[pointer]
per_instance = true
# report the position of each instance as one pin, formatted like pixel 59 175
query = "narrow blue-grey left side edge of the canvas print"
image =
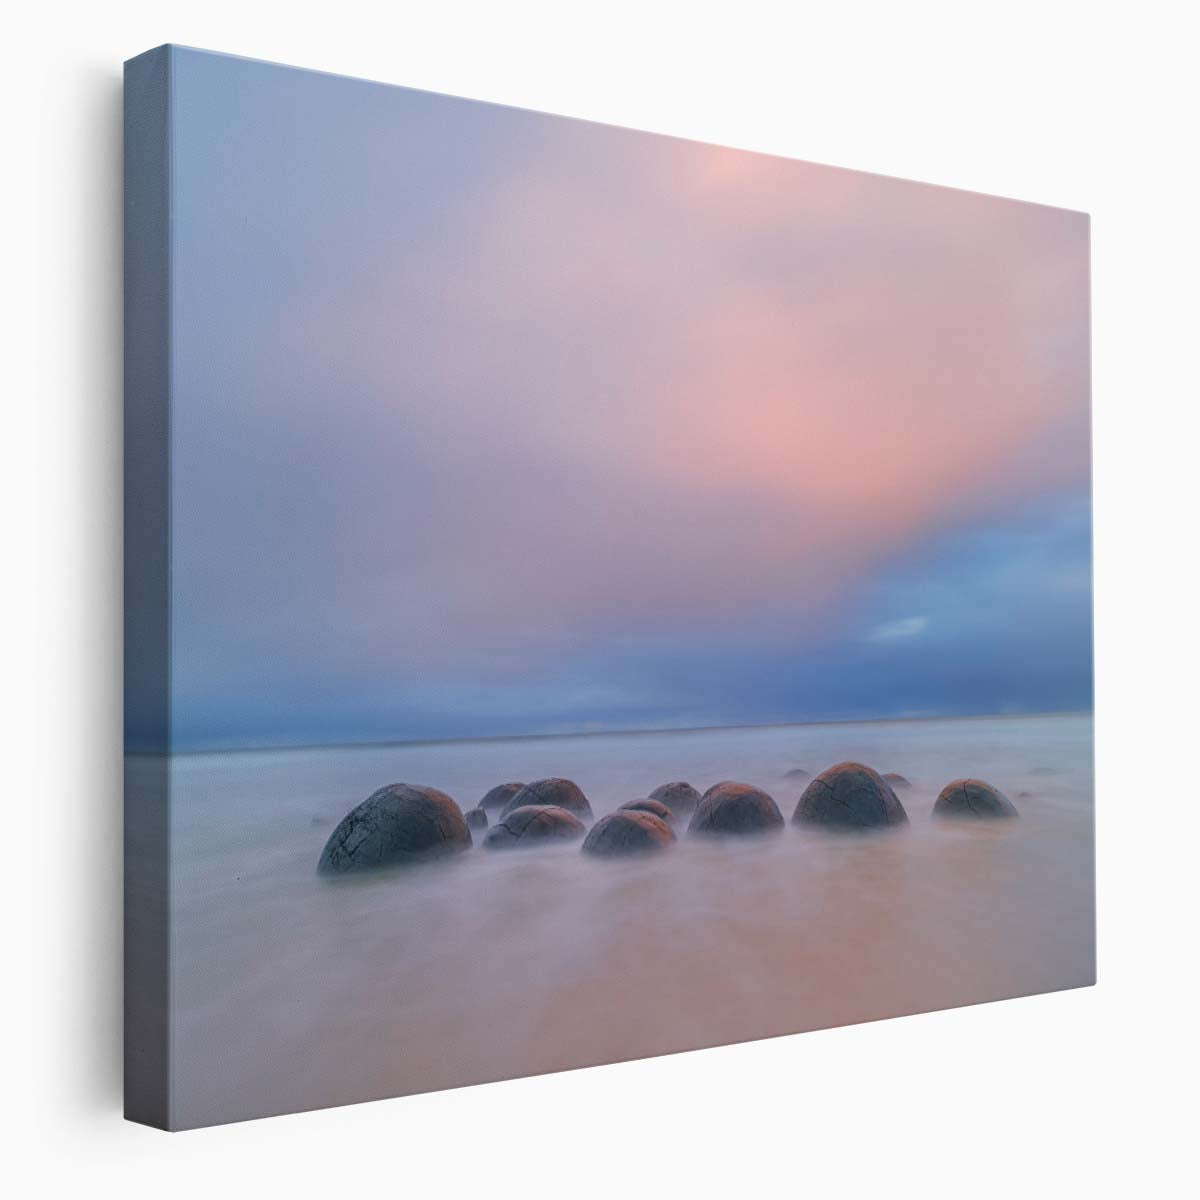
pixel 147 568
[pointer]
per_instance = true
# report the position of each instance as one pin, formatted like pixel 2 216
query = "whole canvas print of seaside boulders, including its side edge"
pixel 590 595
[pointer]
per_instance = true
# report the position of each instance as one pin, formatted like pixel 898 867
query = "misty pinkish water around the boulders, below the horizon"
pixel 295 992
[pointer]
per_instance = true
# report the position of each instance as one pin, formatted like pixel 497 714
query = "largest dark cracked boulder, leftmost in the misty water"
pixel 403 824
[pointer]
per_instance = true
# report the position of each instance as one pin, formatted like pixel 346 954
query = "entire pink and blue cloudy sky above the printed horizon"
pixel 493 423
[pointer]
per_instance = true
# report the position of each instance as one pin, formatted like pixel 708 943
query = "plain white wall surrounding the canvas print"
pixel 1090 106
